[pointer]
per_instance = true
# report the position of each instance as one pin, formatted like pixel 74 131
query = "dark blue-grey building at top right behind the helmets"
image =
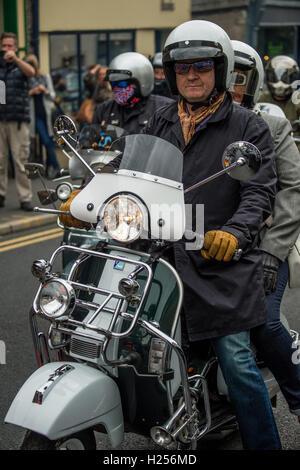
pixel 272 27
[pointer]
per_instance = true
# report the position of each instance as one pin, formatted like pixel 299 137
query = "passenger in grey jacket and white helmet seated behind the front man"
pixel 279 232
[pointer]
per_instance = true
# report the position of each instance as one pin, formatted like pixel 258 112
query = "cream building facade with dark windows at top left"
pixel 70 35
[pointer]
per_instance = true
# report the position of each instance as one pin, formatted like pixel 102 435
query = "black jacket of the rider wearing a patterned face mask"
pixel 131 119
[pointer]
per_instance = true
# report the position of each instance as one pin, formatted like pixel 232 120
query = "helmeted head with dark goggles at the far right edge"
pixel 281 72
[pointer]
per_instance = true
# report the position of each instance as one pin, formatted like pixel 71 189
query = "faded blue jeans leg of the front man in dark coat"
pixel 247 392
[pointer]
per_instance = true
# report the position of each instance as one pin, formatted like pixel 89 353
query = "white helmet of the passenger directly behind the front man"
pixel 248 60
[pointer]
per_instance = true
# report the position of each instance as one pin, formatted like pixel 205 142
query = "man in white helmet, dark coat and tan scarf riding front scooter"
pixel 224 298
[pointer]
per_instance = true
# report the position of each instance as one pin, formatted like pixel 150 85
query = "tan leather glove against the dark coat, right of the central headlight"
pixel 219 245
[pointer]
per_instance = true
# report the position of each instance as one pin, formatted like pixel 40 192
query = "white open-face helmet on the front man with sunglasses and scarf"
pixel 197 39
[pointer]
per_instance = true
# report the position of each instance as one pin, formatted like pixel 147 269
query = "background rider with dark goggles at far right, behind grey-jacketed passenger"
pixel 282 74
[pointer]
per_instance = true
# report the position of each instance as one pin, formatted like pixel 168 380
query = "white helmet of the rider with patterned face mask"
pixel 132 66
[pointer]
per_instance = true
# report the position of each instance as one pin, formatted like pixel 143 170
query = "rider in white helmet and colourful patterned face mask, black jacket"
pixel 131 78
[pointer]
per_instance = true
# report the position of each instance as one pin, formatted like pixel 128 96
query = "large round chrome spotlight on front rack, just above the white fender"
pixel 57 299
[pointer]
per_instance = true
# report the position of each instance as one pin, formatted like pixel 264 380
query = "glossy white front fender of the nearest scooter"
pixel 62 398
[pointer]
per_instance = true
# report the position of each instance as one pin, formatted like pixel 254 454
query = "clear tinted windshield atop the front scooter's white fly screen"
pixel 152 155
